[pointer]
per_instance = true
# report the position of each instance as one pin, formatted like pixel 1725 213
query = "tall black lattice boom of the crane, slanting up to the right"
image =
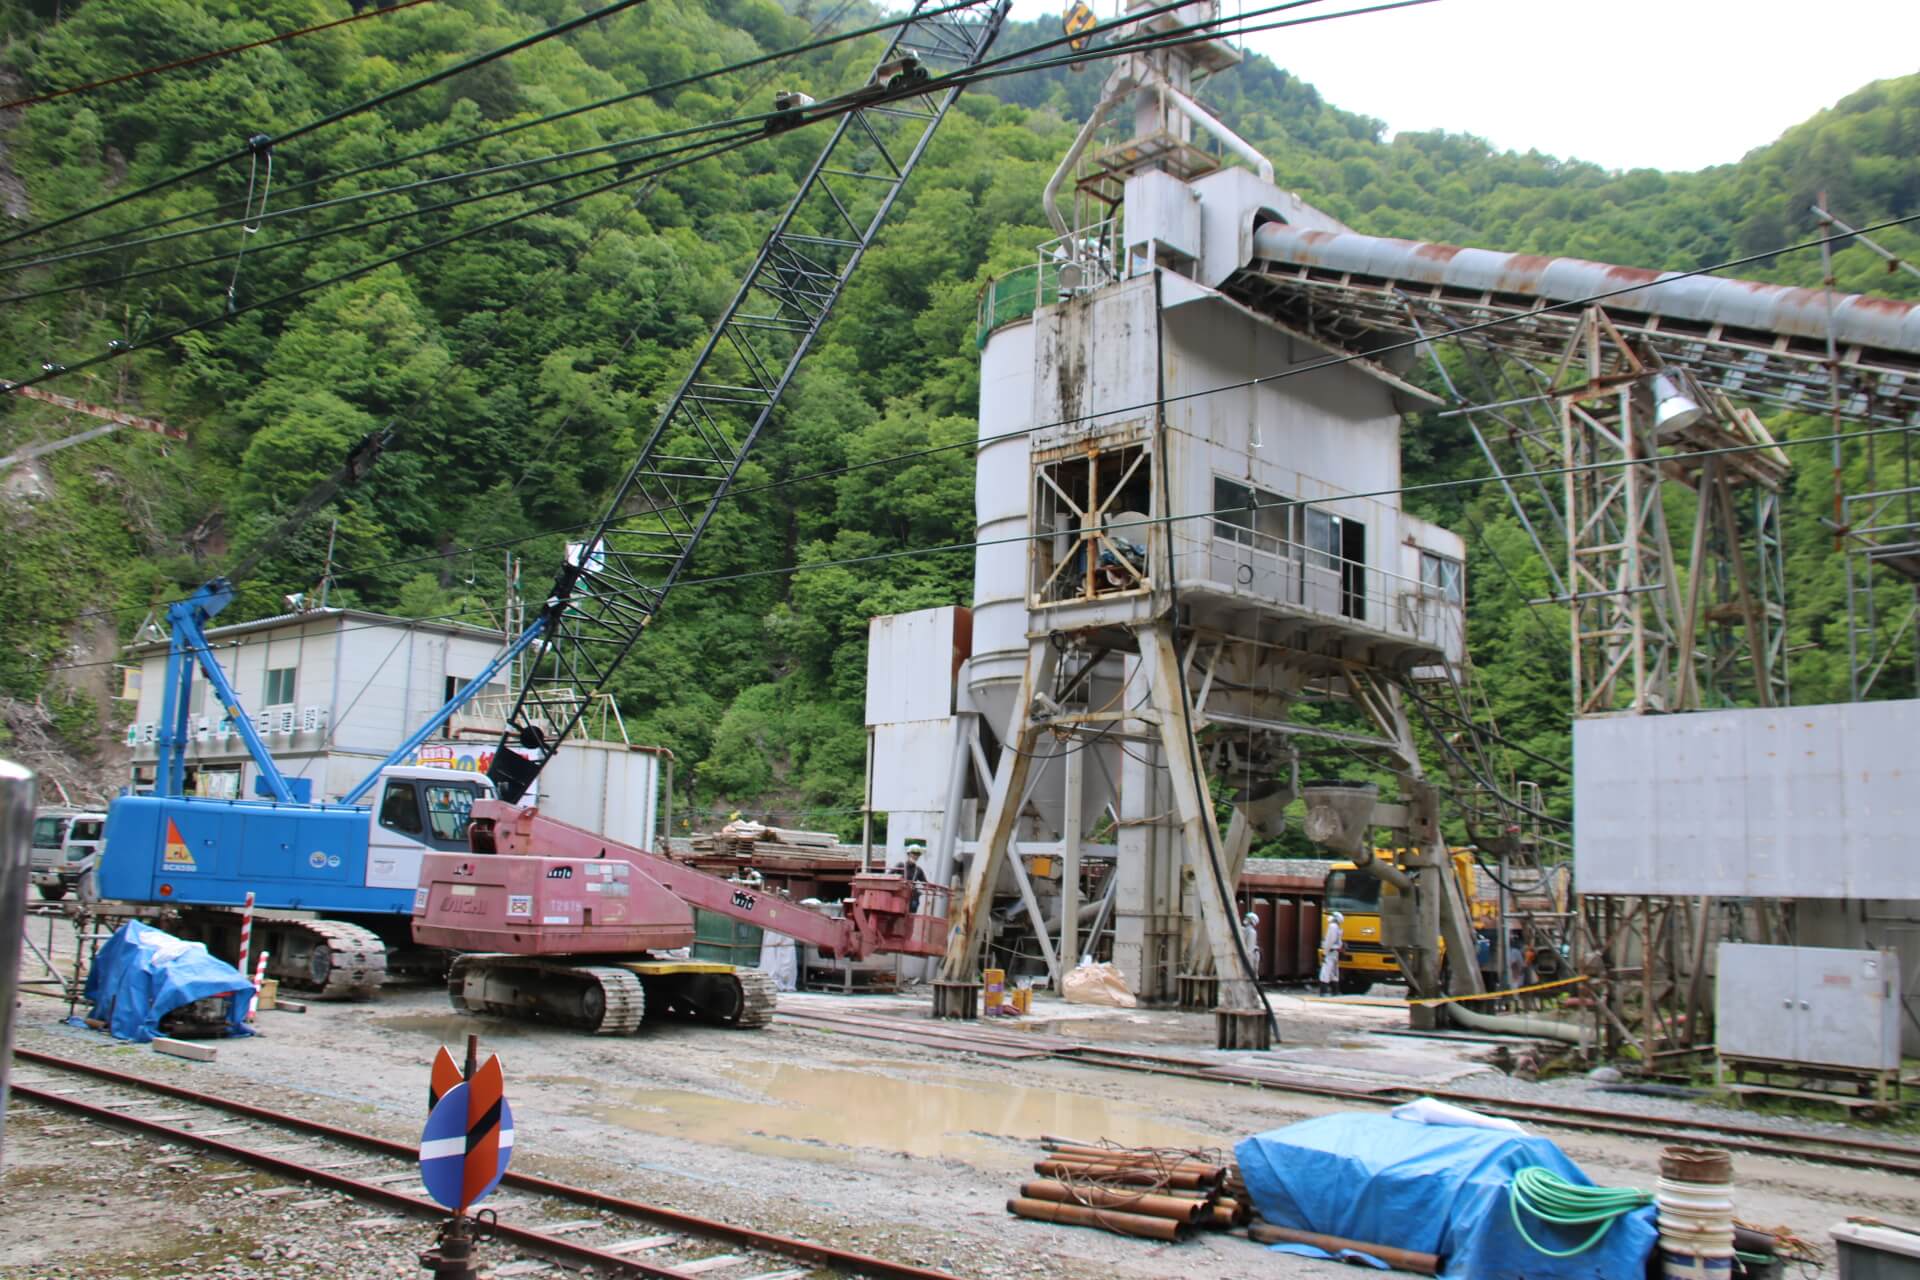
pixel 617 581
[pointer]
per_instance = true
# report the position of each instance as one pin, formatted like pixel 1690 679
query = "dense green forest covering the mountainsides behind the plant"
pixel 517 367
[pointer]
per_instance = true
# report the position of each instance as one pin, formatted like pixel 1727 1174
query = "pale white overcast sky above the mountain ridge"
pixel 1623 83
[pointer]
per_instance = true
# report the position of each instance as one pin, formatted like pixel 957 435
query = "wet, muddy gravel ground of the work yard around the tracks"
pixel 890 1149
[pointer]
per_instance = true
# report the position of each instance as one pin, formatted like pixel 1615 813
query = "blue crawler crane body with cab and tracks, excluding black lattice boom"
pixel 333 882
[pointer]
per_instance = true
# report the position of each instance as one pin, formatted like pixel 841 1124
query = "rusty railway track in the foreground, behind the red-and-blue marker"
pixel 537 1216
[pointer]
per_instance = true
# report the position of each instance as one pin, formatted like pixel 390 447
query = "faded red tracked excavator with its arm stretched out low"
pixel 562 926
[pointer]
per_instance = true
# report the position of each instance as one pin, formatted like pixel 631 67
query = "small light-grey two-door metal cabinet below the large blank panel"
pixel 1810 1005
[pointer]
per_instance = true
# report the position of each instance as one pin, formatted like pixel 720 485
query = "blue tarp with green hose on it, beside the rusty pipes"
pixel 1435 1189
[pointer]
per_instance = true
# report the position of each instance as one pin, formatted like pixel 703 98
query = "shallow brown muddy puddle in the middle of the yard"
pixel 830 1114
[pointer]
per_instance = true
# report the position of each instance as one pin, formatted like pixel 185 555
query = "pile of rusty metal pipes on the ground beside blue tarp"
pixel 1153 1193
